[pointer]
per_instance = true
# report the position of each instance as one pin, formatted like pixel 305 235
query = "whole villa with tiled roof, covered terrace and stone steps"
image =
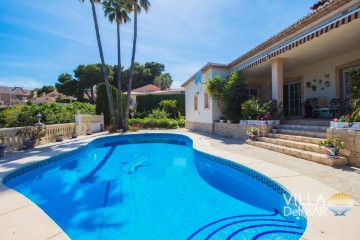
pixel 307 63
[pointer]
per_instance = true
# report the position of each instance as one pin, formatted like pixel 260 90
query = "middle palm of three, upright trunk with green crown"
pixel 116 10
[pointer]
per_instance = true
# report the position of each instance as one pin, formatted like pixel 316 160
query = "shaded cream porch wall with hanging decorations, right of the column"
pixel 318 70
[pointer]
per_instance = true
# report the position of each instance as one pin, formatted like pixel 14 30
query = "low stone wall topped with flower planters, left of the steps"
pixel 239 130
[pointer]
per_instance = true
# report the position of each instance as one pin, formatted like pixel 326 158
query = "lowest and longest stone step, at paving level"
pixel 310 156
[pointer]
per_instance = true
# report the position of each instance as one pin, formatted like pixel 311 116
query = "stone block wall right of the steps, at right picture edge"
pixel 351 139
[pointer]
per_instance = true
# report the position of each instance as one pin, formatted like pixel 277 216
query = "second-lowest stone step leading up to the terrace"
pixel 294 144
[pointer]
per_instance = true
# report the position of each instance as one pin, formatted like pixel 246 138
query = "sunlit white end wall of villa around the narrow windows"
pixel 202 114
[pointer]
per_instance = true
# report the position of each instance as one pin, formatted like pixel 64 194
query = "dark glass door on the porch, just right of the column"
pixel 292 99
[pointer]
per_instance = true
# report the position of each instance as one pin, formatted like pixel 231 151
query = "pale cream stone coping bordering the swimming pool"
pixel 14 206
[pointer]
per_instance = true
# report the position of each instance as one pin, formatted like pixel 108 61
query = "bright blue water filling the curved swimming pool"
pixel 155 186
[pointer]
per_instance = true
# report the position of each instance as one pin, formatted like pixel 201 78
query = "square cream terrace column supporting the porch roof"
pixel 277 79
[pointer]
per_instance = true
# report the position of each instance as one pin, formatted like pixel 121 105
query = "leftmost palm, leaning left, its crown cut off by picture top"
pixel 103 66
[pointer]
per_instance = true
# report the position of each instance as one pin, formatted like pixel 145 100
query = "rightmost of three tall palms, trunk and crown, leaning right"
pixel 137 5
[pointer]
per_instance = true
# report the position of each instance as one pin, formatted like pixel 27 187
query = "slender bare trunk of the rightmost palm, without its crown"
pixel 127 106
